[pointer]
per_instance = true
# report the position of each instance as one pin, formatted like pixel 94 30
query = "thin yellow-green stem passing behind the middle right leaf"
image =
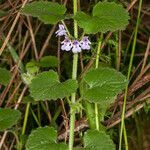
pixel 96 66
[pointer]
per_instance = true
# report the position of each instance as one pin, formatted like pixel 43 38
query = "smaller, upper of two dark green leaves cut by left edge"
pixel 4 76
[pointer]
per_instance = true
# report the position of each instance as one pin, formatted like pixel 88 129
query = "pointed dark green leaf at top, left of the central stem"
pixel 48 12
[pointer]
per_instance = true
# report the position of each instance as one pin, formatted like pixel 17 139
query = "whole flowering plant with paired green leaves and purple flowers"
pixel 97 88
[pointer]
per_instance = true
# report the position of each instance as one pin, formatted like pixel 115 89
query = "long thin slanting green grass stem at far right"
pixel 128 76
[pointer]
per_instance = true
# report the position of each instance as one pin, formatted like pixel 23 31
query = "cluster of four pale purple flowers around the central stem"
pixel 67 44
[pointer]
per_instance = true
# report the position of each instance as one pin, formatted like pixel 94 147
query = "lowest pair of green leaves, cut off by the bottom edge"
pixel 45 138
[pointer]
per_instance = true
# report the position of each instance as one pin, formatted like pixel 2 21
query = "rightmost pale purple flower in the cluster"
pixel 85 43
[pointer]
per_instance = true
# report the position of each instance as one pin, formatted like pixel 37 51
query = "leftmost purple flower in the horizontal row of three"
pixel 66 44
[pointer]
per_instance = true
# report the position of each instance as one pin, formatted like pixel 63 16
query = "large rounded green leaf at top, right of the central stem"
pixel 106 16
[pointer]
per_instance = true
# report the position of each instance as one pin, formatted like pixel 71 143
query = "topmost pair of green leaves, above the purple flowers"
pixel 106 16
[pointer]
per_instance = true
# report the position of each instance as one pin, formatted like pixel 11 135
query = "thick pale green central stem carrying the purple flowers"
pixel 74 76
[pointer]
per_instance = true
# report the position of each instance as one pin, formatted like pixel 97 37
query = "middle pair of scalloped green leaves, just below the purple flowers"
pixel 103 85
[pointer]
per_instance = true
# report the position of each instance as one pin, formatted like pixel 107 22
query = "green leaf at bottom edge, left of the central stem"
pixel 44 138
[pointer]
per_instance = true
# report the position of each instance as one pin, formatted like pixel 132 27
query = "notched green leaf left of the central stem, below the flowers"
pixel 46 86
